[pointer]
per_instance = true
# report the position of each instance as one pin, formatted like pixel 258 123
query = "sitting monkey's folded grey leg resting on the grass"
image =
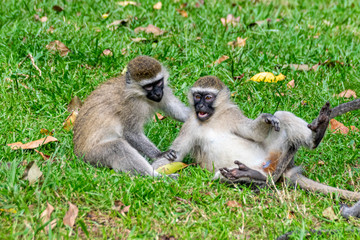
pixel 120 156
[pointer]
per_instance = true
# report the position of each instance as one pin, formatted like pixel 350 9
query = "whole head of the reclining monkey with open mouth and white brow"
pixel 206 94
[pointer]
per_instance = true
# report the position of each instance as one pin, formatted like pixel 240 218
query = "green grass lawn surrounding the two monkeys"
pixel 31 103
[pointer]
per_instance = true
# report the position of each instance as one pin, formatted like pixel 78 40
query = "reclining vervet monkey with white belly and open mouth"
pixel 220 137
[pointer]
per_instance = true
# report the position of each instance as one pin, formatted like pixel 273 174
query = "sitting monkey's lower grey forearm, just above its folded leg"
pixel 141 143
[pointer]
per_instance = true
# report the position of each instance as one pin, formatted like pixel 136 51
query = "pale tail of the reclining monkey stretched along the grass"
pixel 295 176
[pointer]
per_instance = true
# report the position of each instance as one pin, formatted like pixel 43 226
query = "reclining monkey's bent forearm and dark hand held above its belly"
pixel 257 129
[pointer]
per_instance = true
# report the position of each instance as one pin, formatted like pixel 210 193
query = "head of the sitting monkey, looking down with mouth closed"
pixel 147 76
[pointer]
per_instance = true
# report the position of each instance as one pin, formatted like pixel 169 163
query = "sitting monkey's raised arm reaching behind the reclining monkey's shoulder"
pixel 173 106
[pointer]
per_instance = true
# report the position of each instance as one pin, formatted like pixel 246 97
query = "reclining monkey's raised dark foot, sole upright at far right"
pixel 320 124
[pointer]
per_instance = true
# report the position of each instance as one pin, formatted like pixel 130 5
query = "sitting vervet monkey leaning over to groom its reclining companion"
pixel 109 128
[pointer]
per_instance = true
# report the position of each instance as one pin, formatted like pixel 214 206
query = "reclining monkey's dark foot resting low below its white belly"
pixel 242 172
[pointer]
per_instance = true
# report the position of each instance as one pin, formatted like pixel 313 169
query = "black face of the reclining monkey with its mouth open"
pixel 203 105
